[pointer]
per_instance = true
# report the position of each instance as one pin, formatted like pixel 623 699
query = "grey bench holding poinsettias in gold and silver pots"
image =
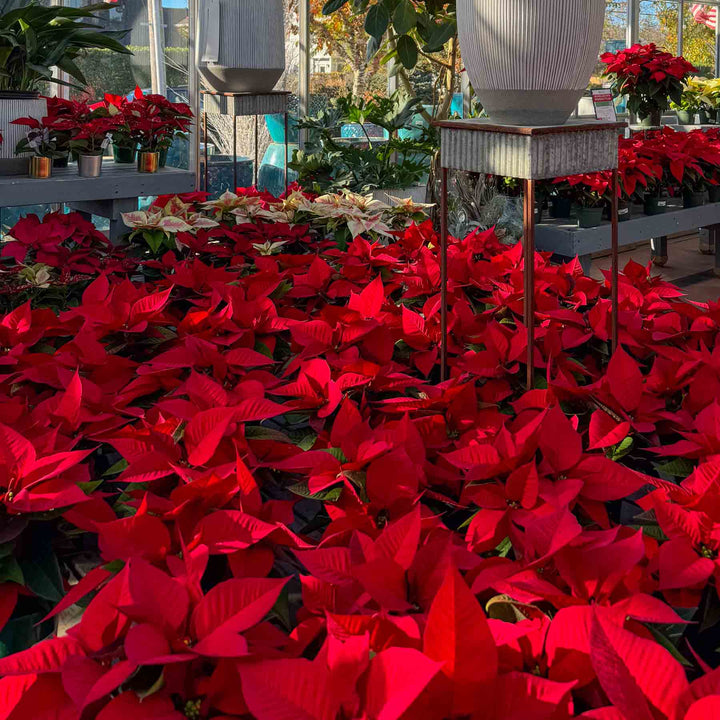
pixel 116 191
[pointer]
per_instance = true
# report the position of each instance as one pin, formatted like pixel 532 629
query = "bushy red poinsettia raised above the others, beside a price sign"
pixel 649 77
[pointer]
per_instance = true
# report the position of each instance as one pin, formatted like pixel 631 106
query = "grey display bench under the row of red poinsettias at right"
pixel 568 240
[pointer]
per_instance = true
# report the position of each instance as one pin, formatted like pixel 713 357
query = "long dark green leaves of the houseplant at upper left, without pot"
pixel 35 39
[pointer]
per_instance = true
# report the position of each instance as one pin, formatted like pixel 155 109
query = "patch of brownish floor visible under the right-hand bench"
pixel 686 267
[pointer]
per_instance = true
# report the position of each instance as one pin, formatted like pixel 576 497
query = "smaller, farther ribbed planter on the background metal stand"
pixel 241 44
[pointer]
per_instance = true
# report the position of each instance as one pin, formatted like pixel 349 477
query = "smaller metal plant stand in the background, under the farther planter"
pixel 243 105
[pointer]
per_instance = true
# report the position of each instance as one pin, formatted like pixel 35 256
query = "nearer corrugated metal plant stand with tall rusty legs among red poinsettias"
pixel 529 154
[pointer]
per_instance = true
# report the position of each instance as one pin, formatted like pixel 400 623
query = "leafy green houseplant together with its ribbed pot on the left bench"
pixel 34 40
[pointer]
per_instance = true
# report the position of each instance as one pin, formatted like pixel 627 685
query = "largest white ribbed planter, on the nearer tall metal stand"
pixel 529 61
